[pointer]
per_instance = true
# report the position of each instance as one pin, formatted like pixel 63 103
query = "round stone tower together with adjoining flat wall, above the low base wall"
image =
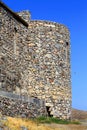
pixel 35 61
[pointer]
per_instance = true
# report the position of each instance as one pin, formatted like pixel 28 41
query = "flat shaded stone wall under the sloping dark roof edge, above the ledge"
pixel 13 53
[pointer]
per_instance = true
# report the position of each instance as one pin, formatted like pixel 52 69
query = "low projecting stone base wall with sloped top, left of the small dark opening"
pixel 31 108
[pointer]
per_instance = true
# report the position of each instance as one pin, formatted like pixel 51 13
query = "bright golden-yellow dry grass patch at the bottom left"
pixel 17 123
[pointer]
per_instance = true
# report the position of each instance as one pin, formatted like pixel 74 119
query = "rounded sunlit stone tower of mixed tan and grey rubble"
pixel 49 66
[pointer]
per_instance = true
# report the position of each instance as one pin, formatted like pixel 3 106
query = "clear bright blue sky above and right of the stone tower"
pixel 72 13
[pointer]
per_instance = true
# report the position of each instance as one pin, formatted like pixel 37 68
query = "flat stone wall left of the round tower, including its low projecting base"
pixel 13 67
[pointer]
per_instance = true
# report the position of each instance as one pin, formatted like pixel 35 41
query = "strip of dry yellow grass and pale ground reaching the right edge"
pixel 17 123
